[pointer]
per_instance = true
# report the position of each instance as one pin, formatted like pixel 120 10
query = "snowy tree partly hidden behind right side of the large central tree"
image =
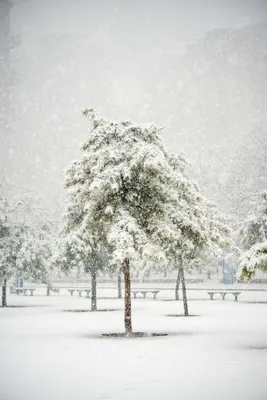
pixel 194 223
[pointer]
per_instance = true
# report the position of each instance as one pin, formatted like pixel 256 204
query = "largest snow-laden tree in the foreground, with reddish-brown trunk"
pixel 119 193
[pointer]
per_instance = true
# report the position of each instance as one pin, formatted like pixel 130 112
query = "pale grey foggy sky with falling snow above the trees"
pixel 198 68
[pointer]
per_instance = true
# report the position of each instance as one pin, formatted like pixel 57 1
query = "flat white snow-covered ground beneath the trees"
pixel 50 353
